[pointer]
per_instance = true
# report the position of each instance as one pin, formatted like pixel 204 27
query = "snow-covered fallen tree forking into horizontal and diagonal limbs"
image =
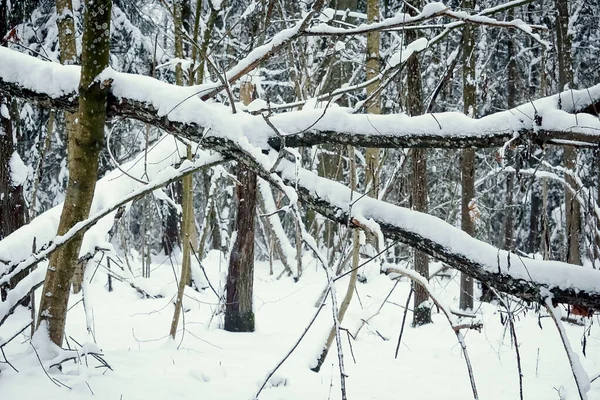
pixel 246 138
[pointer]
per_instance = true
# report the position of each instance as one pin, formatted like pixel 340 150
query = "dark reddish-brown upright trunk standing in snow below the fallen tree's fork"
pixel 239 315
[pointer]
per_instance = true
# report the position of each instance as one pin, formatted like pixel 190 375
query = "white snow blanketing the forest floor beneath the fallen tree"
pixel 213 364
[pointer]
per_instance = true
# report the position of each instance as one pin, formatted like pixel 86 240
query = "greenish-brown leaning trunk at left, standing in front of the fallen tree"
pixel 84 146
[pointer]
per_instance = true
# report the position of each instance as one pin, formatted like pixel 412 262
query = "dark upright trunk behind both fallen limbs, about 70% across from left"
pixel 414 105
